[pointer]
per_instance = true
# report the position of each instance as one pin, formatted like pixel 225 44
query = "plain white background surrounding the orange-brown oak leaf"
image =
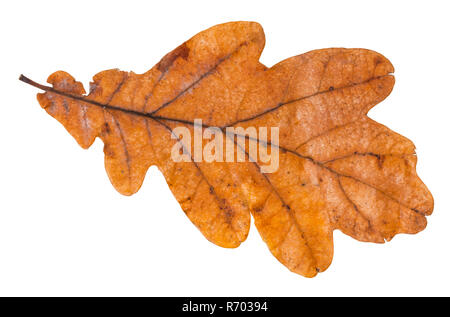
pixel 64 230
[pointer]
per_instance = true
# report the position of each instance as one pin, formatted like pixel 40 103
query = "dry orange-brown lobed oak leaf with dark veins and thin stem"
pixel 338 169
